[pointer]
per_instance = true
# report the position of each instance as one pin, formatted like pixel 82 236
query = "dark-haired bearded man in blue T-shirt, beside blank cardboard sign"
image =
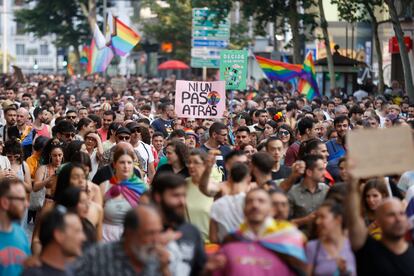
pixel 336 146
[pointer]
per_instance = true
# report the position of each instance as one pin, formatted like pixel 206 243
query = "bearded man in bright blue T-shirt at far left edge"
pixel 14 246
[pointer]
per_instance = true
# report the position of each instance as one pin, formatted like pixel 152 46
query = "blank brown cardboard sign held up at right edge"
pixel 379 152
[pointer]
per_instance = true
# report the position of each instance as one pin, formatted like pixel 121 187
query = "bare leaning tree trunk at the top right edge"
pixel 403 50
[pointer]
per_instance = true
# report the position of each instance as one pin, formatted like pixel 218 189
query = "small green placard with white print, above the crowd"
pixel 233 68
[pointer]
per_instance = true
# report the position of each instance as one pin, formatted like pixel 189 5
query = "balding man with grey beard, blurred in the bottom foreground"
pixel 139 252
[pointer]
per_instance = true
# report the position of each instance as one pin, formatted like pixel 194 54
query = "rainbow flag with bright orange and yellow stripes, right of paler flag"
pixel 124 38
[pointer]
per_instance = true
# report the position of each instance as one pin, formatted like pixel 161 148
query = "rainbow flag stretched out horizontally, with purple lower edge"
pixel 279 71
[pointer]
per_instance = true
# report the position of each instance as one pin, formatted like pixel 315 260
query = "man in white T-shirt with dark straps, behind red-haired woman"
pixel 143 149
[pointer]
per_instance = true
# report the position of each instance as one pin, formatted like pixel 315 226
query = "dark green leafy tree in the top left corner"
pixel 67 20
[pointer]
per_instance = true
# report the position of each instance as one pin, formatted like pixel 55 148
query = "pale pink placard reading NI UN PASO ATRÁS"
pixel 200 99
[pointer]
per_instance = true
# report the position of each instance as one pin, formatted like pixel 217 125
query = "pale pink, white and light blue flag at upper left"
pixel 100 55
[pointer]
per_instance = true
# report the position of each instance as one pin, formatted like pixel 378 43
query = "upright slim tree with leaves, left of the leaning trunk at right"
pixel 364 10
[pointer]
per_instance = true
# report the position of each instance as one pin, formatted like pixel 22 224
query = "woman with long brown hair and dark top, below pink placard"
pixel 177 155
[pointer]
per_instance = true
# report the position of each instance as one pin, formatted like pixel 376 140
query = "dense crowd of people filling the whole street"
pixel 102 181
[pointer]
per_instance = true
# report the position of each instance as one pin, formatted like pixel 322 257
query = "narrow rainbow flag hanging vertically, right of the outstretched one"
pixel 307 84
